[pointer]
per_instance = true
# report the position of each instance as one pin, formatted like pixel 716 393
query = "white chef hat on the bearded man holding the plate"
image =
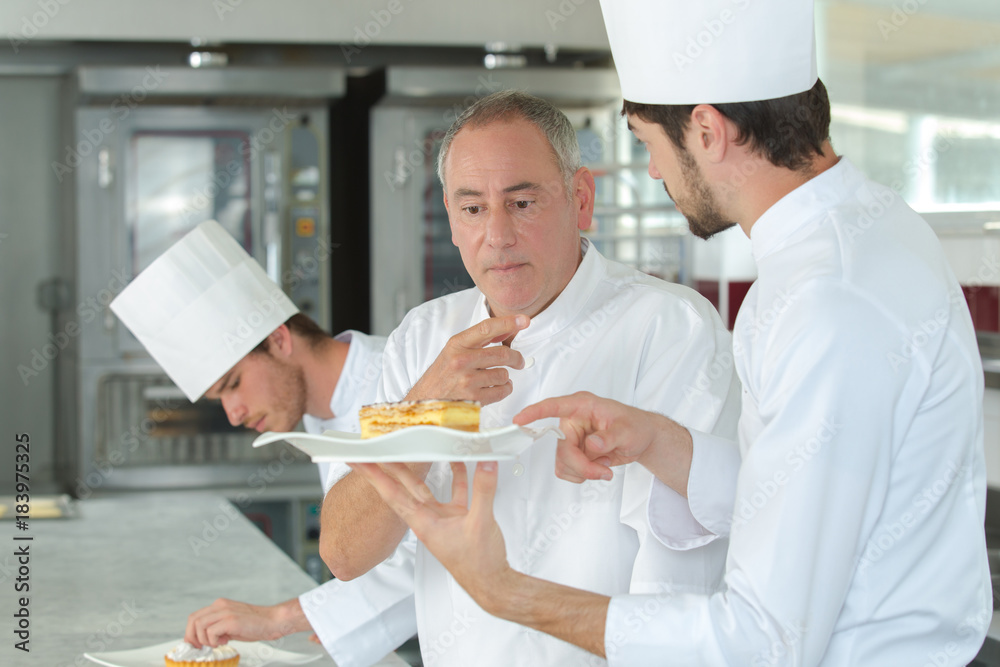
pixel 711 51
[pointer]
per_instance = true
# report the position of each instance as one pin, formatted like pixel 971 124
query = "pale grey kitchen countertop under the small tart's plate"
pixel 127 572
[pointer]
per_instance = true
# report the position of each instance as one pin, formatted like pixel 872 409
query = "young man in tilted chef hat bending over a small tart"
pixel 219 327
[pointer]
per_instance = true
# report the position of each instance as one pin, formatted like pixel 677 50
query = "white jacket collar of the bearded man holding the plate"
pixel 801 205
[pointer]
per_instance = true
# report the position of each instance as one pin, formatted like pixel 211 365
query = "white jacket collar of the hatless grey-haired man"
pixel 563 310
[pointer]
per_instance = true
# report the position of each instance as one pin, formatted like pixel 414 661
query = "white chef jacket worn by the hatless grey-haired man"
pixel 617 333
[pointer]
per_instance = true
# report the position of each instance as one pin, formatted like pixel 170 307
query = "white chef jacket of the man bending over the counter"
pixel 361 620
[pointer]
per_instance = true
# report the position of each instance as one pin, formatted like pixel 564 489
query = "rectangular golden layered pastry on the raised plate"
pixel 383 418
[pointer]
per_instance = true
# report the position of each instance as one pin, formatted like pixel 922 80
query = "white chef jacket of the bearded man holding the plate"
pixel 857 519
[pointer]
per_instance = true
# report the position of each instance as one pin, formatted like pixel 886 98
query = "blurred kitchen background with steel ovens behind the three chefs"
pixel 120 128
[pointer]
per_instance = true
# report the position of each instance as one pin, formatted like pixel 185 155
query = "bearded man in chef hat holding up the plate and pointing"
pixel 856 521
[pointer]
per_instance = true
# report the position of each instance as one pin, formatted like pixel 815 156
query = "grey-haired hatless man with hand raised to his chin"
pixel 517 199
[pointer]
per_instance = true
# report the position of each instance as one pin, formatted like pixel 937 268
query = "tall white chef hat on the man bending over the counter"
pixel 201 307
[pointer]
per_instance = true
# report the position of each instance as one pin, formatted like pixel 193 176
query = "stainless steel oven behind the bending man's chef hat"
pixel 154 152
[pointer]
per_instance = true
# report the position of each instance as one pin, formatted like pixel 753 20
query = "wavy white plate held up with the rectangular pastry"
pixel 416 443
